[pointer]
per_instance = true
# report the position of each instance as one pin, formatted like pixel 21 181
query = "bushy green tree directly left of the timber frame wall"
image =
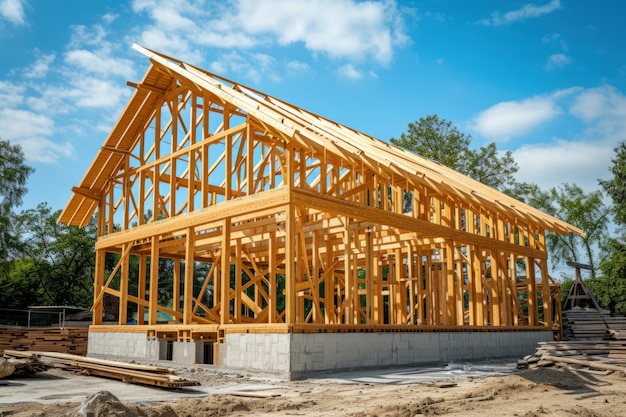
pixel 61 258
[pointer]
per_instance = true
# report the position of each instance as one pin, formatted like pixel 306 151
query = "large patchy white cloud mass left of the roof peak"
pixel 89 78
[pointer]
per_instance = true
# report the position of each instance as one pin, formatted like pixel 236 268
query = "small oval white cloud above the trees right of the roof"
pixel 515 118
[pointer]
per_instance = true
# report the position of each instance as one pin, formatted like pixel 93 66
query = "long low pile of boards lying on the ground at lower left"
pixel 126 372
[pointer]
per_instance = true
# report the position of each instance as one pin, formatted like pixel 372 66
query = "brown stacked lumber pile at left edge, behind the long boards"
pixel 49 339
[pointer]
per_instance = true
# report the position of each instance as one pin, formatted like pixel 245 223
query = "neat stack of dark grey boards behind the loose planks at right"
pixel 589 323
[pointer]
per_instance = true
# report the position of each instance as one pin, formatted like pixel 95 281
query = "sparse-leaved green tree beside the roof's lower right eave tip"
pixel 584 210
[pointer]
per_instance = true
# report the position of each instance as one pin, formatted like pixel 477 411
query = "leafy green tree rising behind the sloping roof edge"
pixel 441 141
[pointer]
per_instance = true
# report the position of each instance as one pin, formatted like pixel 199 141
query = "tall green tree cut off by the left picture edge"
pixel 13 176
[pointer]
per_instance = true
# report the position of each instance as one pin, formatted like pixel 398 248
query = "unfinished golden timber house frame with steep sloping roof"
pixel 298 224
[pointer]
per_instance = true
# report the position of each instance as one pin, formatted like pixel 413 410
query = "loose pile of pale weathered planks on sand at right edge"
pixel 604 355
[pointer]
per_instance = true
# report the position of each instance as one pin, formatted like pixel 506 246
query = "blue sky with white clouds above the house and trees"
pixel 545 79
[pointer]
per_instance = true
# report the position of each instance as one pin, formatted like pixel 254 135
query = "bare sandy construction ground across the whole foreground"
pixel 458 389
